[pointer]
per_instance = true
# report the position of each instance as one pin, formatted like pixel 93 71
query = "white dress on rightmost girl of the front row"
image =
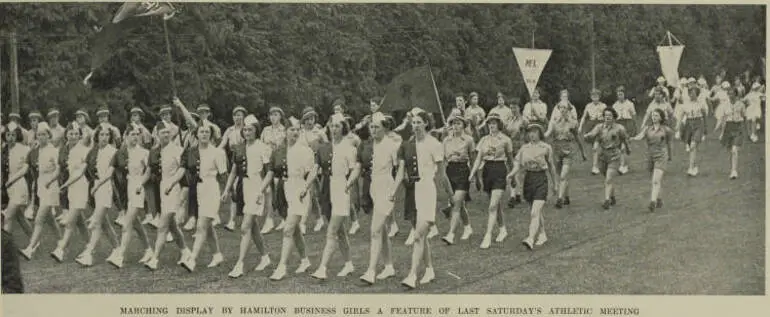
pixel 430 152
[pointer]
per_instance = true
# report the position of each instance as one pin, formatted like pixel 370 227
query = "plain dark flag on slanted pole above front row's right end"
pixel 413 88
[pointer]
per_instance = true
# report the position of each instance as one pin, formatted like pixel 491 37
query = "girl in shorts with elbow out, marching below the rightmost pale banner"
pixel 658 137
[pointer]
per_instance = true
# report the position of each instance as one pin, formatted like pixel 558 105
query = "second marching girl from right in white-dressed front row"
pixel 383 161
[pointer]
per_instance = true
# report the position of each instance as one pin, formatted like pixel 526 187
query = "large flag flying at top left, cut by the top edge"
pixel 129 17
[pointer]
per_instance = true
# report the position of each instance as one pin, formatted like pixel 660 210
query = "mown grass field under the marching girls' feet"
pixel 709 239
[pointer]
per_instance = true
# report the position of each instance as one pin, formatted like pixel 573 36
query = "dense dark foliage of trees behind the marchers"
pixel 296 55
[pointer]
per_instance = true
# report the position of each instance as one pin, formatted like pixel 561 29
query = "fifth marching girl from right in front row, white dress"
pixel 251 163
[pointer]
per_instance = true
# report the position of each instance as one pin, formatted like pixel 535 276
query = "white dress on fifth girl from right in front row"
pixel 257 155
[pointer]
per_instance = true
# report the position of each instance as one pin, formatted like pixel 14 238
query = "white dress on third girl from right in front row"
pixel 343 160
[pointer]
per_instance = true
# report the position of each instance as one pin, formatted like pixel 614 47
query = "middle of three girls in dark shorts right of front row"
pixel 494 151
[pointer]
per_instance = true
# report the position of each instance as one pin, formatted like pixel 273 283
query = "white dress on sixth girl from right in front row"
pixel 213 162
